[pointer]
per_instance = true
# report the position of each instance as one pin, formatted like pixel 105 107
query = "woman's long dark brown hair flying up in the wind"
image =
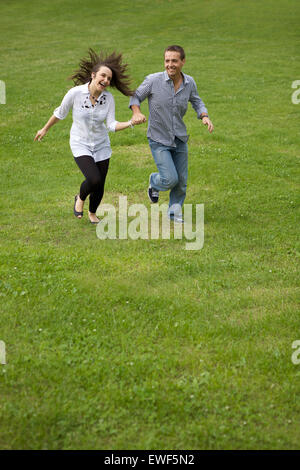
pixel 87 66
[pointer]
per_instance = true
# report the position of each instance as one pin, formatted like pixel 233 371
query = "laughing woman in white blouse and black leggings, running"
pixel 92 104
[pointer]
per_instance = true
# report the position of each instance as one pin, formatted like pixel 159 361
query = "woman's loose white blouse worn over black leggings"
pixel 89 134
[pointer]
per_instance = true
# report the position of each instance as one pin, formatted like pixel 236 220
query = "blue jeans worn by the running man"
pixel 172 165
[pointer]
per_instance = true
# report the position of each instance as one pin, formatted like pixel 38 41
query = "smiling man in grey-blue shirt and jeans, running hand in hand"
pixel 168 95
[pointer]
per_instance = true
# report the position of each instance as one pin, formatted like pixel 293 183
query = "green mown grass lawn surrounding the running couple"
pixel 123 344
